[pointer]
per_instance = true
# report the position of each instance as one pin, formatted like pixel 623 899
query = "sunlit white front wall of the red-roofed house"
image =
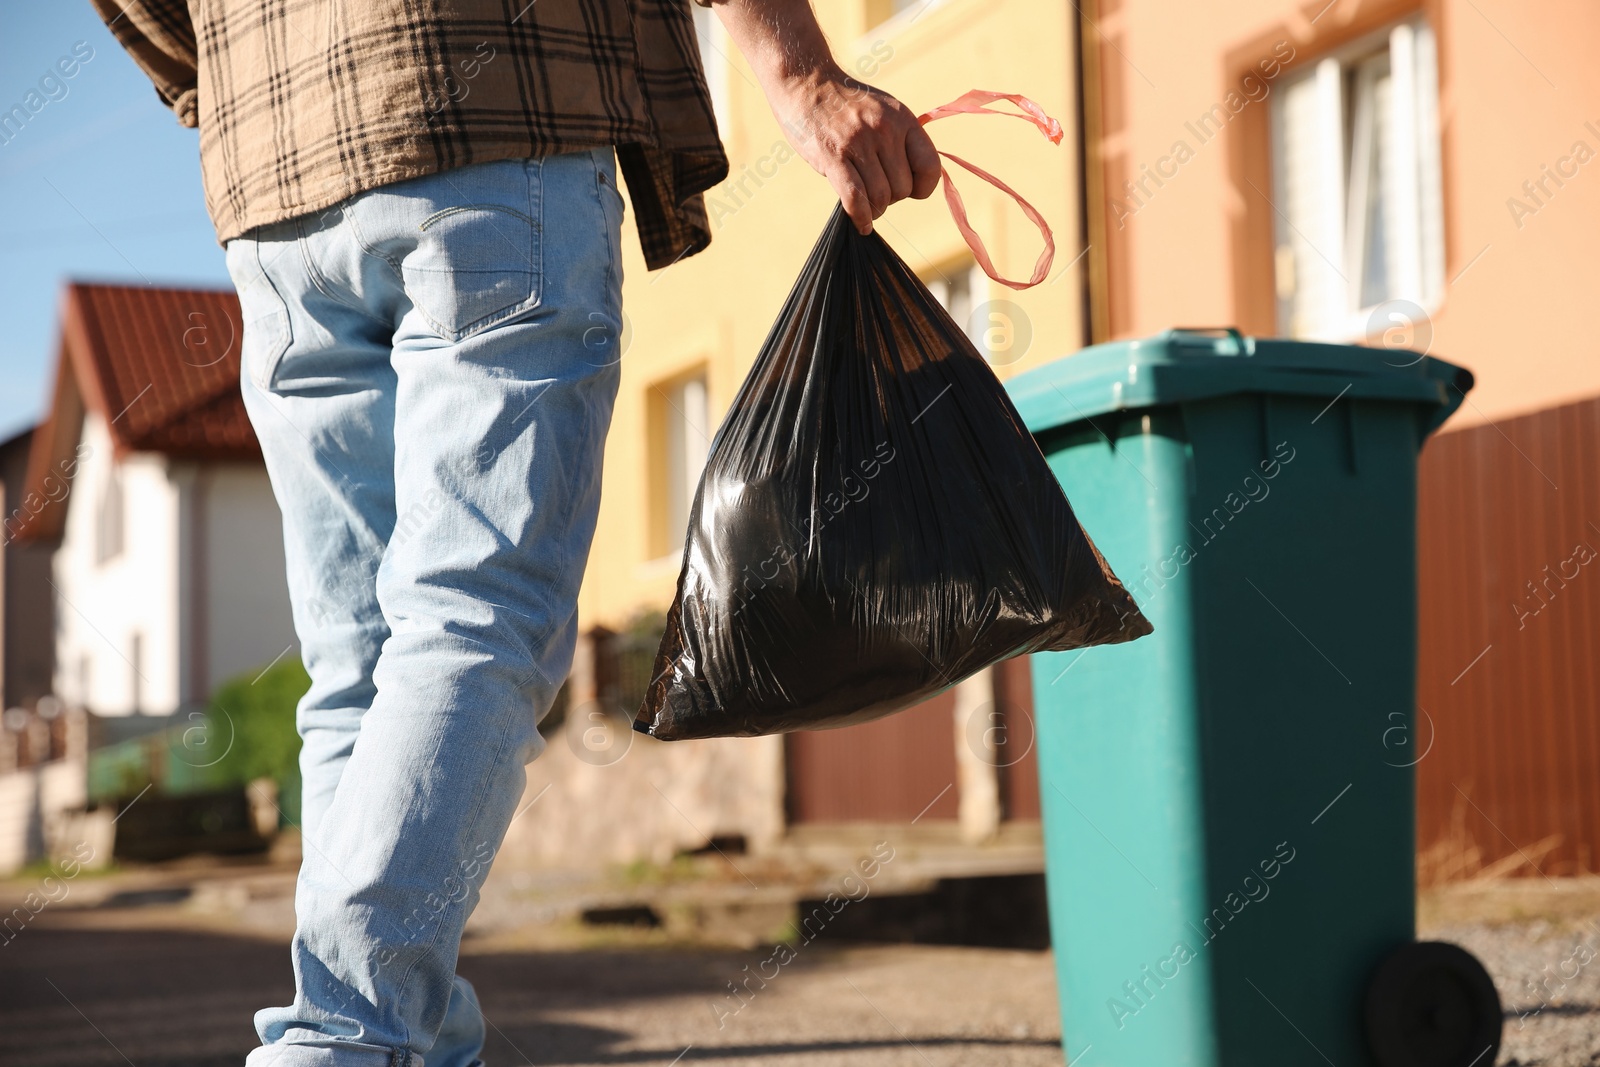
pixel 103 605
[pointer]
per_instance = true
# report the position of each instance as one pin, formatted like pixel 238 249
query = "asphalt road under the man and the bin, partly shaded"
pixel 137 972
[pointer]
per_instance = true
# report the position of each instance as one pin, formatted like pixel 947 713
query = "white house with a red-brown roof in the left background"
pixel 169 569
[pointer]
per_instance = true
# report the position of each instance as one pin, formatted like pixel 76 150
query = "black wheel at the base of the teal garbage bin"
pixel 1433 1005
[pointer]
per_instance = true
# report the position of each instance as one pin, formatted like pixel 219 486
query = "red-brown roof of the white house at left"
pixel 159 366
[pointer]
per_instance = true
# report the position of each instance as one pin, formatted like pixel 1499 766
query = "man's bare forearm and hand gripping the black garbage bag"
pixel 862 140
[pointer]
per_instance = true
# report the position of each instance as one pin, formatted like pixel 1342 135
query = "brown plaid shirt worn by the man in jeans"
pixel 305 103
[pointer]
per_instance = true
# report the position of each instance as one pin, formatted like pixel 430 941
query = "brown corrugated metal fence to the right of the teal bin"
pixel 1510 647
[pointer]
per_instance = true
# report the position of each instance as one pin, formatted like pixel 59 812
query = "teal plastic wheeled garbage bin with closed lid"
pixel 1230 804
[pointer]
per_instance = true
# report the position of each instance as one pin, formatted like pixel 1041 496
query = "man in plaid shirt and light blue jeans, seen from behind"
pixel 422 214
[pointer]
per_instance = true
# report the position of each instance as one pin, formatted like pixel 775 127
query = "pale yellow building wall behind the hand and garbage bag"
pixel 716 308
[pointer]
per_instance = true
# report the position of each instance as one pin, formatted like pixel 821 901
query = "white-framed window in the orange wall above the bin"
pixel 1358 186
